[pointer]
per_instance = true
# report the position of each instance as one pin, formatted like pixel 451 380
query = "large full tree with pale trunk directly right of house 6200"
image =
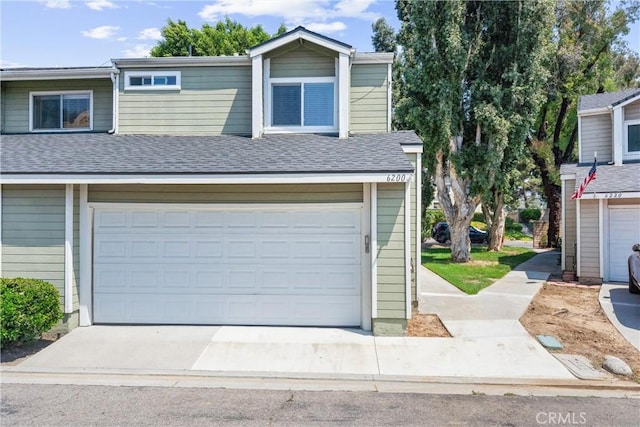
pixel 472 74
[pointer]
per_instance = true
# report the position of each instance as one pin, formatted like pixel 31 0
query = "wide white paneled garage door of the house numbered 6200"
pixel 261 266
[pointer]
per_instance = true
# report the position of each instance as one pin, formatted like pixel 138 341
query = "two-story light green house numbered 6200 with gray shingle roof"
pixel 258 189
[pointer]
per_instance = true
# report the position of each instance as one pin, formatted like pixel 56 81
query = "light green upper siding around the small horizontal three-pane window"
pixel 212 100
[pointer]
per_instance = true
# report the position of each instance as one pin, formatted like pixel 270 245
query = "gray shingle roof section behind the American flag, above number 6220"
pixel 609 178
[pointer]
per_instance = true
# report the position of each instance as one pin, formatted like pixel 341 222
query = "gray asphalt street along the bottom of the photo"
pixel 72 405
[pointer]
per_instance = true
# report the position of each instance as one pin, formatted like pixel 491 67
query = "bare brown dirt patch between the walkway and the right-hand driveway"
pixel 573 315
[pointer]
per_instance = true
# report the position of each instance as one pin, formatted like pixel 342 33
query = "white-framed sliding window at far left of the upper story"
pixel 61 111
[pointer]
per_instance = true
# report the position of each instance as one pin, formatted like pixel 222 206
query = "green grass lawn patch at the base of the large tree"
pixel 483 269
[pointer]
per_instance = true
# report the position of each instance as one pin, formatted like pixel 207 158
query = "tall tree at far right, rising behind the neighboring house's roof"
pixel 587 58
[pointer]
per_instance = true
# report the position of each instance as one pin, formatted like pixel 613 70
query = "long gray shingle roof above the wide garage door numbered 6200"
pixel 104 154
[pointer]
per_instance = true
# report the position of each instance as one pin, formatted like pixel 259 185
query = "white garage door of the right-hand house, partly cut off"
pixel 624 232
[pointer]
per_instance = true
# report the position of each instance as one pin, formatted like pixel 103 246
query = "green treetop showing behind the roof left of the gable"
pixel 225 38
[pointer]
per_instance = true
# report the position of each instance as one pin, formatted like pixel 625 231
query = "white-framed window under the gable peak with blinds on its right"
pixel 307 104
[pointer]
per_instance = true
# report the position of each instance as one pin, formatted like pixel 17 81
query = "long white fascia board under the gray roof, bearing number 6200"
pixel 306 178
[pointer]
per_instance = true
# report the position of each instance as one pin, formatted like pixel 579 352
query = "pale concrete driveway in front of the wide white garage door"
pixel 299 352
